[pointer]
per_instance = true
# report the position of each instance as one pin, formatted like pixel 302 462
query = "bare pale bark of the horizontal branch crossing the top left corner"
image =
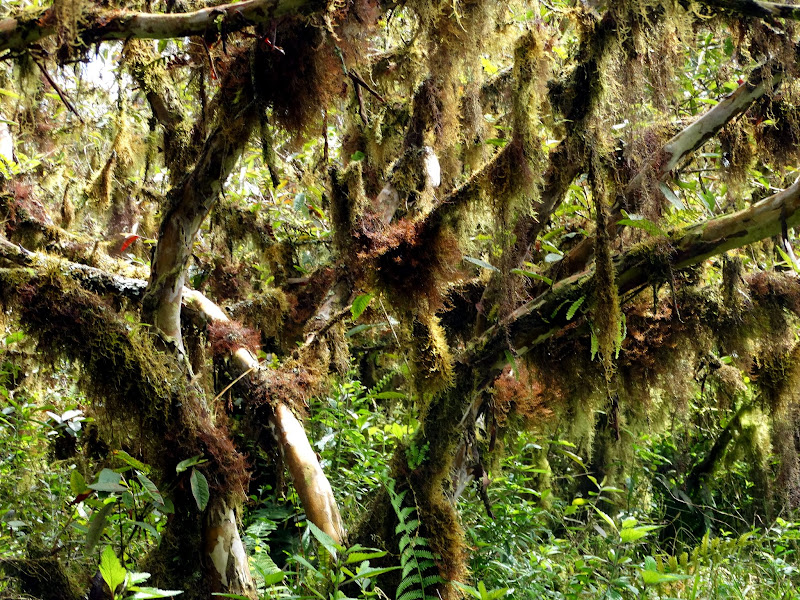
pixel 16 34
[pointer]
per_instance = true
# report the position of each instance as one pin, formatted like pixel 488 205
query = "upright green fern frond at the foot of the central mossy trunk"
pixel 416 557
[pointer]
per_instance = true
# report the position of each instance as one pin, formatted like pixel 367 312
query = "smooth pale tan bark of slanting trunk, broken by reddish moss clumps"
pixel 313 488
